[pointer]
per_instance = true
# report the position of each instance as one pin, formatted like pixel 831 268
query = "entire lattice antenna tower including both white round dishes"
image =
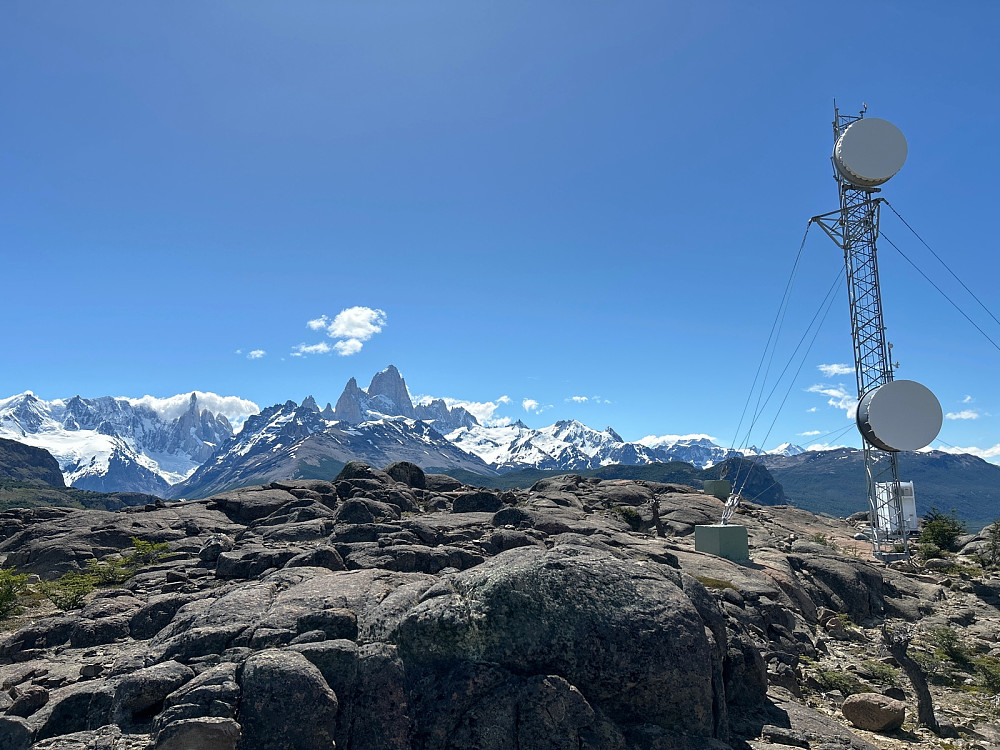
pixel 892 416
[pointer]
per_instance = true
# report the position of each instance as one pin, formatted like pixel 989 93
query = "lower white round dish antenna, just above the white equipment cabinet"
pixel 899 416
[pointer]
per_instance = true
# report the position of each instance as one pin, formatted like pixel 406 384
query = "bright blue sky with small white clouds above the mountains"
pixel 533 200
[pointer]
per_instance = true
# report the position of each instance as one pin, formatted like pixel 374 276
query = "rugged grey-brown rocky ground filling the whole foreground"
pixel 389 609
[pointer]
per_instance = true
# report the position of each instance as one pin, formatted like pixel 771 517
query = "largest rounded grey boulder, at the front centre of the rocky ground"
pixel 624 635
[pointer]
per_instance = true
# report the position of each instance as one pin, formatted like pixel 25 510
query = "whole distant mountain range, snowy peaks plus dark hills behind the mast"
pixel 118 444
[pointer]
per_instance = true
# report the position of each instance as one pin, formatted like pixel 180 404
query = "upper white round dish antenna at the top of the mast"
pixel 869 152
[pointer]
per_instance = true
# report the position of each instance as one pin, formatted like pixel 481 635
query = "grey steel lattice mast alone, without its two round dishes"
pixel 855 229
